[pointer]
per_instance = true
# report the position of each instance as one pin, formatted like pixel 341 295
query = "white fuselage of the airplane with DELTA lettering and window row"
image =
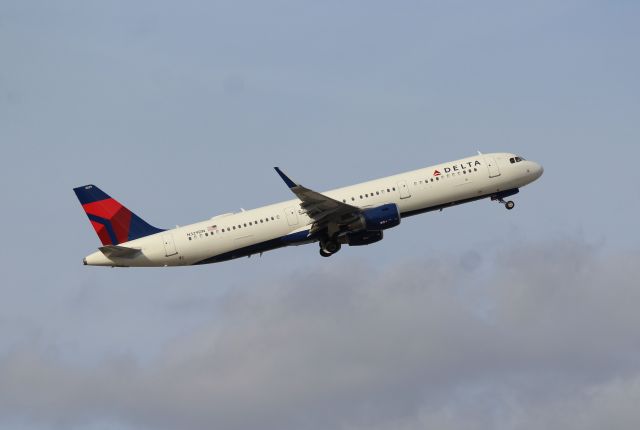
pixel 229 236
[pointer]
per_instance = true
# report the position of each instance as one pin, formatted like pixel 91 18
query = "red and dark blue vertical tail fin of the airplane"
pixel 113 222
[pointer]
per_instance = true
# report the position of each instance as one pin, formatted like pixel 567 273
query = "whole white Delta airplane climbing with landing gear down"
pixel 355 215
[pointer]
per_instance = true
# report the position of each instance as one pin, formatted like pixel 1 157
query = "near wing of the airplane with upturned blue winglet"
pixel 326 212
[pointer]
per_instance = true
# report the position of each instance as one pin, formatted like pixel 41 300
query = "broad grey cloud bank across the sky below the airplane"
pixel 540 336
